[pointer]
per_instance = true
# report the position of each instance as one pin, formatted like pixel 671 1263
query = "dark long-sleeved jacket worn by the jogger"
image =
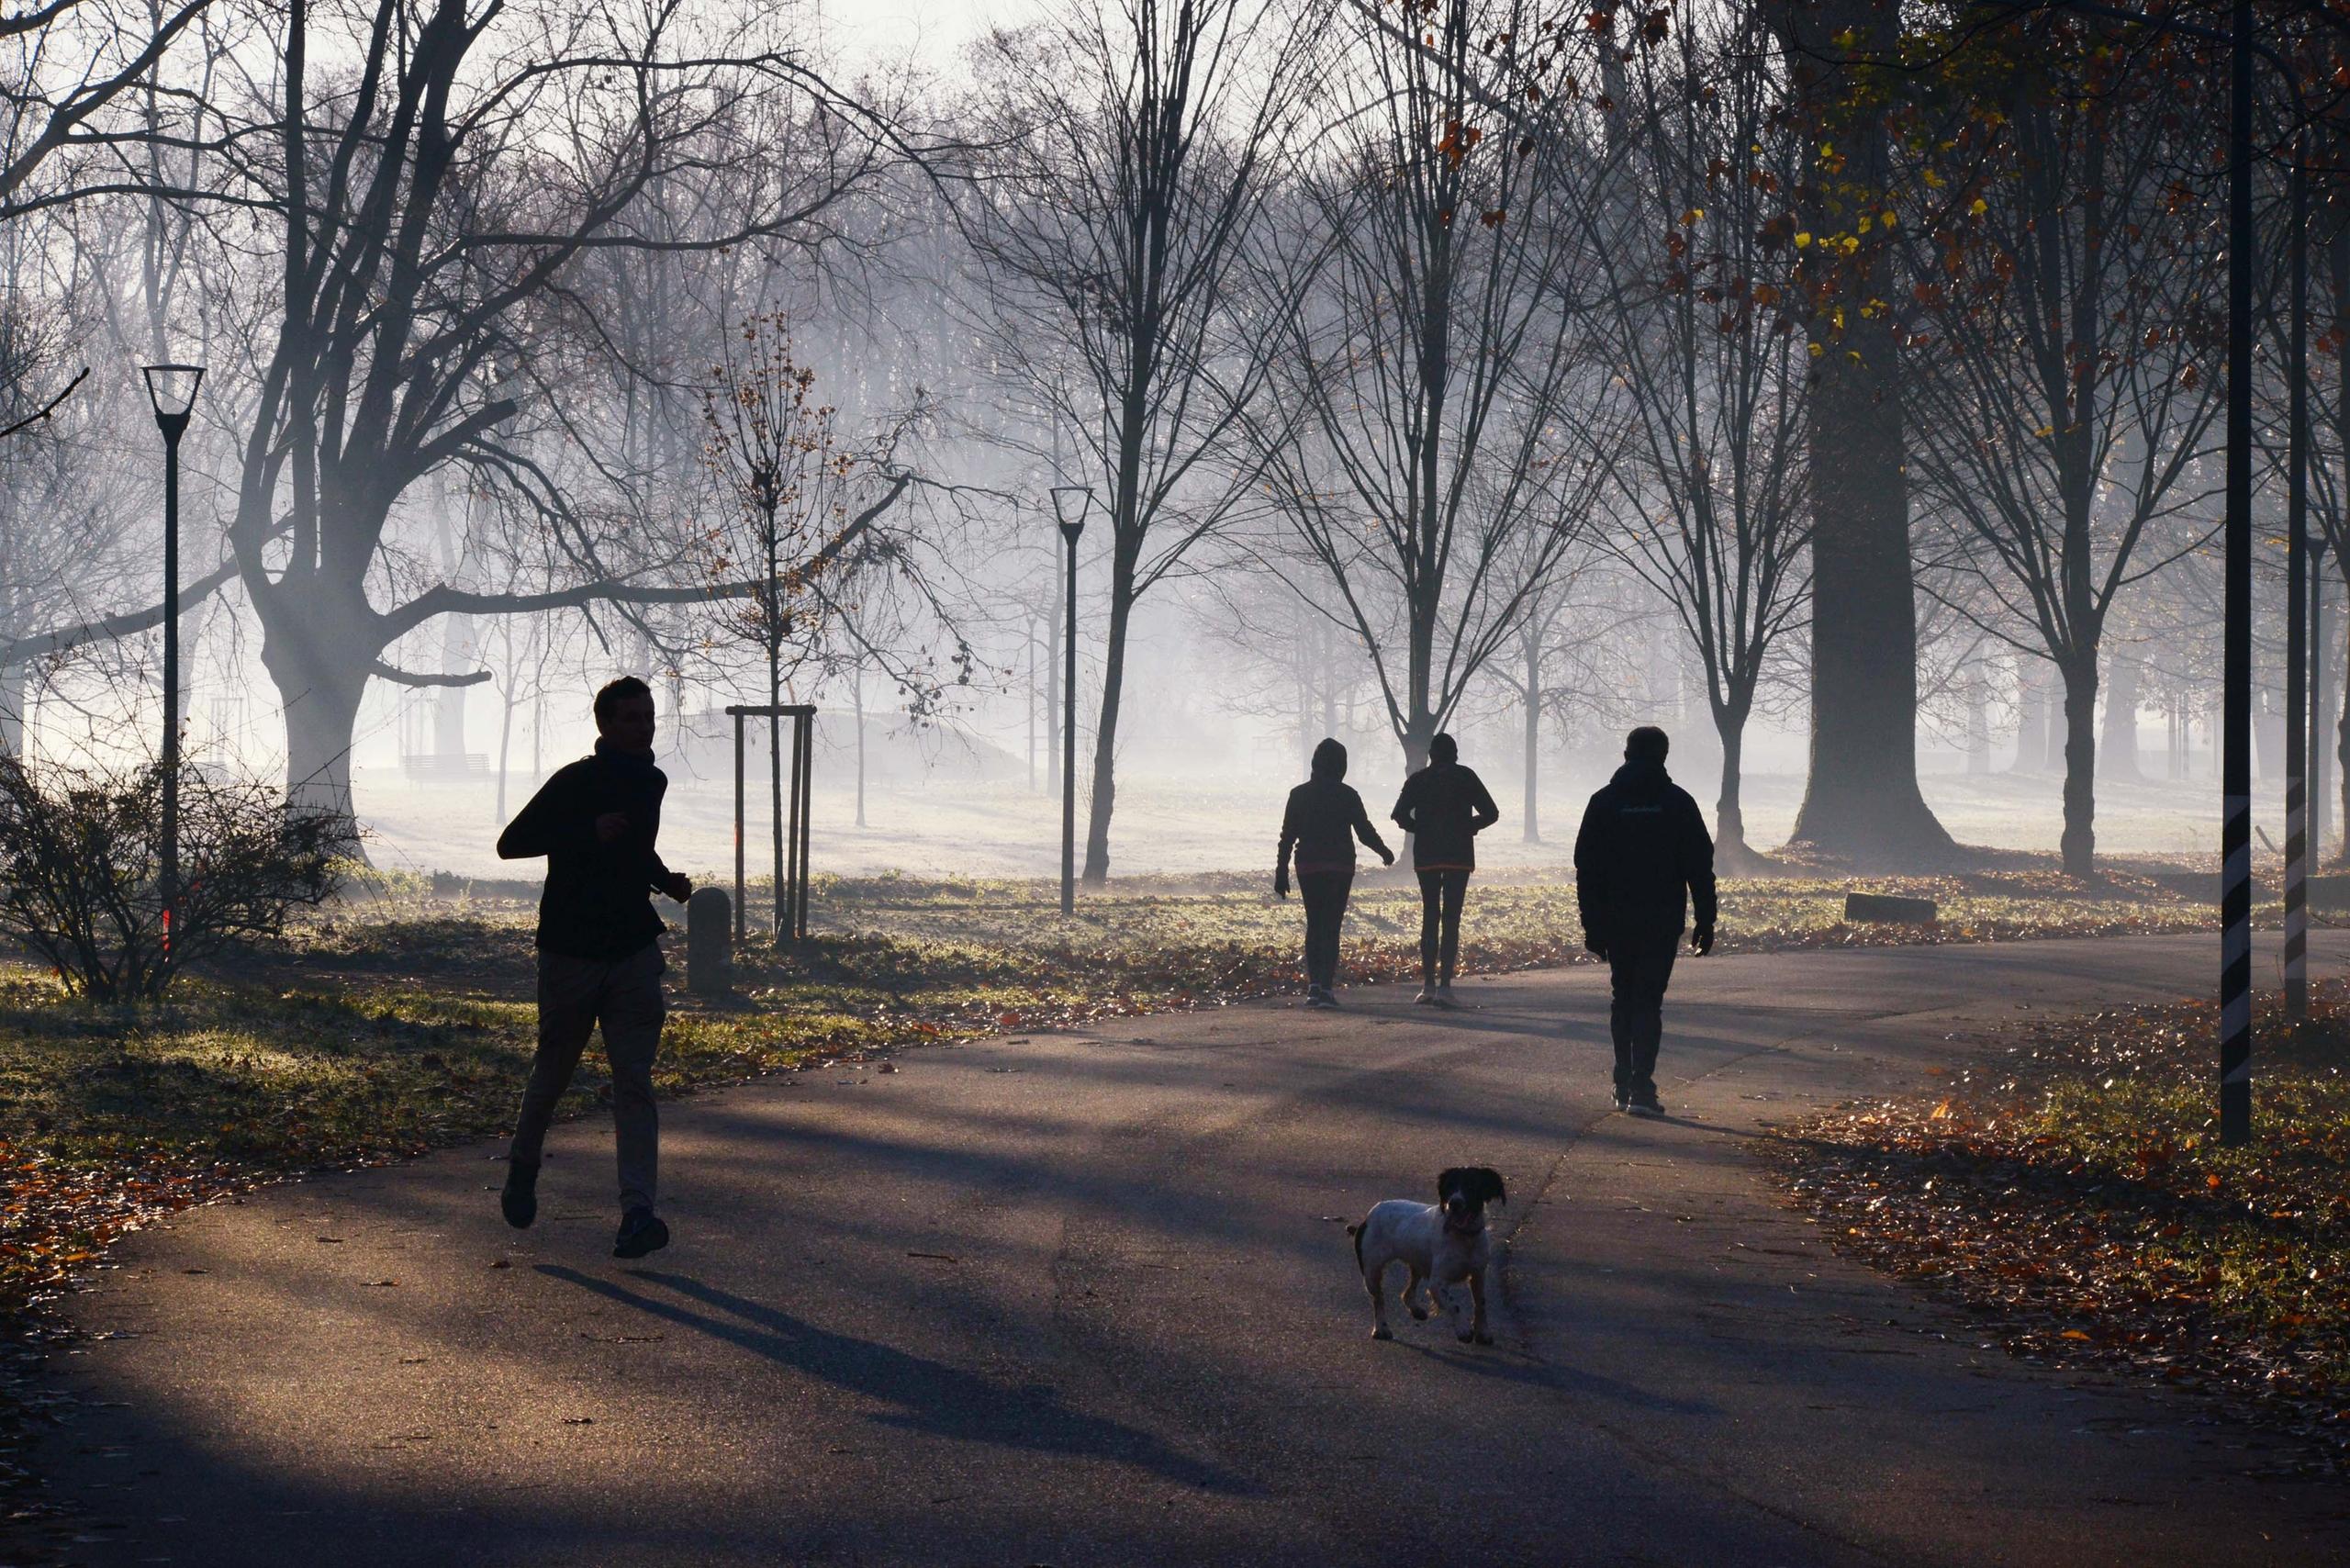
pixel 596 904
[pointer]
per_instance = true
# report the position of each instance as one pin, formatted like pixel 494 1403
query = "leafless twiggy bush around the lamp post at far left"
pixel 81 869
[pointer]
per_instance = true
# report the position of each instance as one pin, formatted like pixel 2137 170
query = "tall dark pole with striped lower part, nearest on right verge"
pixel 2236 768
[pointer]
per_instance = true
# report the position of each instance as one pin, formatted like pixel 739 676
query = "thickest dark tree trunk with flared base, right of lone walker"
pixel 1862 791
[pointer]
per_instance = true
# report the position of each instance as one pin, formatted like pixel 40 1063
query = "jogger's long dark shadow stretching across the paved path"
pixel 925 1395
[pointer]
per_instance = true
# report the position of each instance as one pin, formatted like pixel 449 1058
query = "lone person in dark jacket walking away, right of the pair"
pixel 1641 859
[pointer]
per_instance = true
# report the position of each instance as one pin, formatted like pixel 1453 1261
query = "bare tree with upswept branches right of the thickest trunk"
pixel 2069 396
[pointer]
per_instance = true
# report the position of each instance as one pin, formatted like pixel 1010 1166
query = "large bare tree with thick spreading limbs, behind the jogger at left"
pixel 419 213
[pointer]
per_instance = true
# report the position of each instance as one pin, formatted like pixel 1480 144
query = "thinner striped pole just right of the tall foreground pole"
pixel 2297 634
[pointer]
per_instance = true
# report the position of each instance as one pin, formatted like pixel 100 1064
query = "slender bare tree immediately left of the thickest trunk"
pixel 1712 504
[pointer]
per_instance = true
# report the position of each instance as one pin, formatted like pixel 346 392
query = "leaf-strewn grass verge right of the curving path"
pixel 2072 1193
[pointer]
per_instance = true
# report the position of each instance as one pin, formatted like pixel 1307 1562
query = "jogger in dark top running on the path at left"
pixel 598 953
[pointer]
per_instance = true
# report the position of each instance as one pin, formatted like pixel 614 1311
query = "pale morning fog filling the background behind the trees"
pixel 899 246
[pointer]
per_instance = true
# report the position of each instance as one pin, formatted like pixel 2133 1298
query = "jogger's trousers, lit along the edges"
pixel 624 996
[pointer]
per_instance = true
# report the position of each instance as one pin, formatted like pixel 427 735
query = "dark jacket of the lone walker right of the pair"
pixel 1641 859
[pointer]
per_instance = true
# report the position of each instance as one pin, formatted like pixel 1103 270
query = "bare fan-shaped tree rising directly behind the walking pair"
pixel 1437 417
